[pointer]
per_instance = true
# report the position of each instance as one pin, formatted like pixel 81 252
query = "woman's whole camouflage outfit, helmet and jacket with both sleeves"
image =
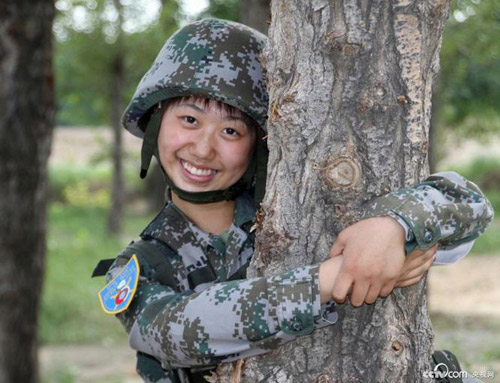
pixel 194 308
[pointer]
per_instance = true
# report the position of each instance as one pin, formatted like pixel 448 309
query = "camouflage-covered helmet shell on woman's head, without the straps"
pixel 210 58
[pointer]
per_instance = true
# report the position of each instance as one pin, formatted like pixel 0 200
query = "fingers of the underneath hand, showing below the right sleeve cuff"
pixel 416 265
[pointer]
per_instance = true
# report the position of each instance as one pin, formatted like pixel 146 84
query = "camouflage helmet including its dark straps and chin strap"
pixel 214 59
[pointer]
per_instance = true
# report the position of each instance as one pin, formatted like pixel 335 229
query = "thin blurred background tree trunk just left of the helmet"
pixel 117 78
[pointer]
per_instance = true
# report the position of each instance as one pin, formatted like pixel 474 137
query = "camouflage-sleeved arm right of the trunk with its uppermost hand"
pixel 445 210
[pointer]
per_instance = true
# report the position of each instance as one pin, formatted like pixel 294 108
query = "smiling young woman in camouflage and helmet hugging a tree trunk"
pixel 201 109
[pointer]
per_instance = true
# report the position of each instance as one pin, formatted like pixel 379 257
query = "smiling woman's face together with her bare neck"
pixel 205 146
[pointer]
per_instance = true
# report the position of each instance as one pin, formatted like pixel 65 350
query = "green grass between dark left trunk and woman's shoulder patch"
pixel 77 240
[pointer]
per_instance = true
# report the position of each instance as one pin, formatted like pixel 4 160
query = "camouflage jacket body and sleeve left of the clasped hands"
pixel 241 318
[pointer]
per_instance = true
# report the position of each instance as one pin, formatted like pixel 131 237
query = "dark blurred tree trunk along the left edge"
pixel 26 124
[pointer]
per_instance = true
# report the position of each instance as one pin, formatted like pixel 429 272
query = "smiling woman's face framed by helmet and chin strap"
pixel 202 146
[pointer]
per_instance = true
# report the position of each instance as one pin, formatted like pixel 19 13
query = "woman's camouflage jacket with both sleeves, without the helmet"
pixel 209 314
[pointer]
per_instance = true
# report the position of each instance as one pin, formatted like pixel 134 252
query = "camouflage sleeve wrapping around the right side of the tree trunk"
pixel 446 208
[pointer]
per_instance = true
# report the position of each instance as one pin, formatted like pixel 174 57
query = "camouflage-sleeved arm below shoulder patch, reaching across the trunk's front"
pixel 229 320
